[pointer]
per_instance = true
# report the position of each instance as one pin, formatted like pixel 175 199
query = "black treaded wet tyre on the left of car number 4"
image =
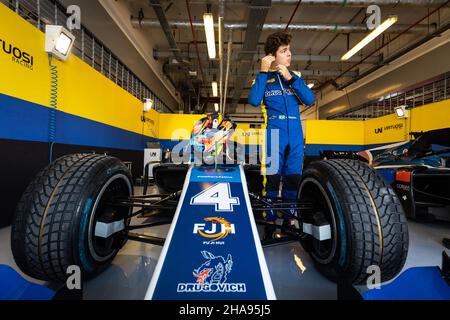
pixel 54 222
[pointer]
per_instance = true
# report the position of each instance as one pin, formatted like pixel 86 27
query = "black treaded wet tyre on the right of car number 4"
pixel 367 222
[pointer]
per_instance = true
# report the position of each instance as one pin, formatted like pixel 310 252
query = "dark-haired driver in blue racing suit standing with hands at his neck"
pixel 279 91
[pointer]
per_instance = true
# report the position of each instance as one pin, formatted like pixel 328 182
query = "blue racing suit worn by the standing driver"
pixel 279 101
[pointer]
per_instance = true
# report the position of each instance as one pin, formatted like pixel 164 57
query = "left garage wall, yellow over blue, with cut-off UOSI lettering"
pixel 93 114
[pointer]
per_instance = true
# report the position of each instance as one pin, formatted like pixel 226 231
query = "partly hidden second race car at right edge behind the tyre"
pixel 418 171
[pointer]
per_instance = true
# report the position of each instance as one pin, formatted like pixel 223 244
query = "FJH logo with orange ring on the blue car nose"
pixel 214 229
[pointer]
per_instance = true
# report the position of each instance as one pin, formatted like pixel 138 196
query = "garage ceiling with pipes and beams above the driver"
pixel 322 32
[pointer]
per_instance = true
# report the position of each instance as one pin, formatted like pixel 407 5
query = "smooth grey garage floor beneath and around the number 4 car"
pixel 132 269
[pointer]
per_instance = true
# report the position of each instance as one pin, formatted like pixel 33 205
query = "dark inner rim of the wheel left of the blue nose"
pixel 118 186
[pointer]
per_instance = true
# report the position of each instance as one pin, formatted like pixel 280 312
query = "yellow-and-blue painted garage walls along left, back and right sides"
pixel 96 115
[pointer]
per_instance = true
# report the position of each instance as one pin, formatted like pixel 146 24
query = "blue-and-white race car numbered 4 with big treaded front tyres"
pixel 79 209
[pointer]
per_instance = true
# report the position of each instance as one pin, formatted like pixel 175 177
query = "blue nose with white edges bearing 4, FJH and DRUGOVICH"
pixel 213 250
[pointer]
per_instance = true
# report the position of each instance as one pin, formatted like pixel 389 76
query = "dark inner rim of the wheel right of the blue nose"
pixel 311 189
